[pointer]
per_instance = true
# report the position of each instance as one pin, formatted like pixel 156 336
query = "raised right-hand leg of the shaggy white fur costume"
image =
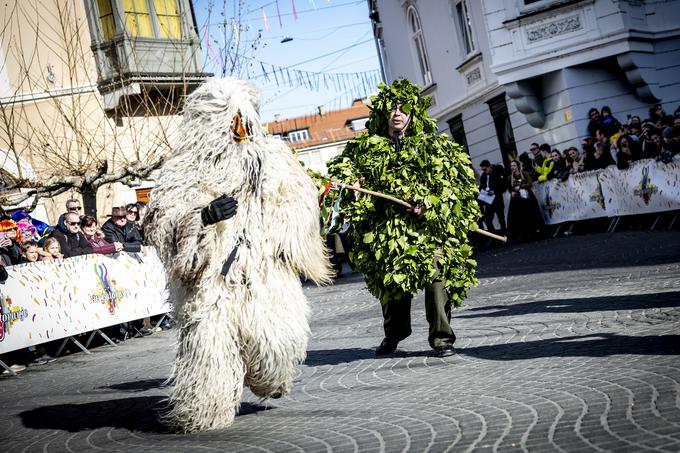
pixel 275 341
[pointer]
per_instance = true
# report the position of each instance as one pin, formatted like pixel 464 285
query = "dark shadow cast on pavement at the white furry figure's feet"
pixel 139 413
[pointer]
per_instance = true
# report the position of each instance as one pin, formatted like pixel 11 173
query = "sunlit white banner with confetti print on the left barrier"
pixel 49 300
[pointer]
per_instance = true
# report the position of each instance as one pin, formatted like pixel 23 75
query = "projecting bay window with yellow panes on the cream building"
pixel 142 48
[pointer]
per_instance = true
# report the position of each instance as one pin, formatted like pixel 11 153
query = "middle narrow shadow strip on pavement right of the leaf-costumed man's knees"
pixel 582 305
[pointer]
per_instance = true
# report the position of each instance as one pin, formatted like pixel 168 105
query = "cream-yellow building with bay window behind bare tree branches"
pixel 89 95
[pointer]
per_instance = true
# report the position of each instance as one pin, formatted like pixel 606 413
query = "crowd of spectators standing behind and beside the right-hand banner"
pixel 609 142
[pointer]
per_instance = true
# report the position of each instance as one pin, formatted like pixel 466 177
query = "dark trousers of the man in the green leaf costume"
pixel 397 317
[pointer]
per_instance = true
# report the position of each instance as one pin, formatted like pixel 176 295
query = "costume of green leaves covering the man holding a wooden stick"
pixel 400 252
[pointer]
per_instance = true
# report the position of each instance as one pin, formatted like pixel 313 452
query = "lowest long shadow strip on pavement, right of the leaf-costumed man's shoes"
pixel 595 345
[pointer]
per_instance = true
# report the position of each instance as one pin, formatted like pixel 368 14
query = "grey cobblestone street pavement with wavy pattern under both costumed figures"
pixel 565 345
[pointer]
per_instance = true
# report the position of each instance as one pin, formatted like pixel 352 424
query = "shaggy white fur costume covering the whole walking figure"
pixel 251 326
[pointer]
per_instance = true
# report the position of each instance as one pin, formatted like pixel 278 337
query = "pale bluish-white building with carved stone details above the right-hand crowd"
pixel 506 73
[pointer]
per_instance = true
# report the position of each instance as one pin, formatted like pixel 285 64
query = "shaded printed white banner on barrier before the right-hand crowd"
pixel 647 186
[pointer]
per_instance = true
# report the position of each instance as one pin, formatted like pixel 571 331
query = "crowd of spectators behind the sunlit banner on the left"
pixel 24 239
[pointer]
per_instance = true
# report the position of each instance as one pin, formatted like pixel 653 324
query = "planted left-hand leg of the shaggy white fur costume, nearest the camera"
pixel 208 372
